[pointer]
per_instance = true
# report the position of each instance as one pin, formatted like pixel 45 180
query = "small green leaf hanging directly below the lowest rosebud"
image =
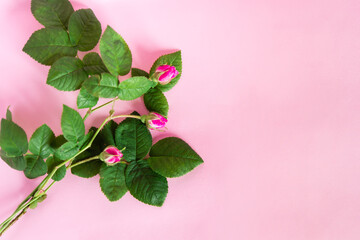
pixel 112 181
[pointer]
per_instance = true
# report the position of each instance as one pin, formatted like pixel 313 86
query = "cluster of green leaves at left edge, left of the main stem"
pixel 29 156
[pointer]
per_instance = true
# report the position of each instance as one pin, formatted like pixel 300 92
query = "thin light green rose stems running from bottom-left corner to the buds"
pixel 37 193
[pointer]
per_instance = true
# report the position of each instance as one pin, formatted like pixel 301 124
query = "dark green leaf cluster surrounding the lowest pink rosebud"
pixel 148 165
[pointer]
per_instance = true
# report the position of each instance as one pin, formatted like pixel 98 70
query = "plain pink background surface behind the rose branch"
pixel 269 97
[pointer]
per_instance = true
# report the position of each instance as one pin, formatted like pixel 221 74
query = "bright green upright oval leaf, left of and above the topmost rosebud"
pixel 115 53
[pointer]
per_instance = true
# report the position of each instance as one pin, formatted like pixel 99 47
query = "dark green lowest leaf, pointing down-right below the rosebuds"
pixel 144 184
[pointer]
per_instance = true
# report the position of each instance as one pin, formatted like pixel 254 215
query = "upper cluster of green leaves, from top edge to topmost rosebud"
pixel 66 32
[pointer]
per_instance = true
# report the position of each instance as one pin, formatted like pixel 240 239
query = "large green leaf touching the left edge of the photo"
pixel 13 139
